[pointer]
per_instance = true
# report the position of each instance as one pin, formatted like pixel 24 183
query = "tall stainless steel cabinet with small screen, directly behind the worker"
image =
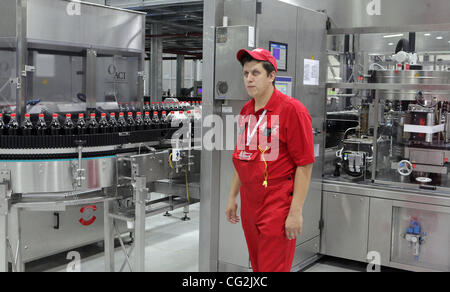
pixel 300 37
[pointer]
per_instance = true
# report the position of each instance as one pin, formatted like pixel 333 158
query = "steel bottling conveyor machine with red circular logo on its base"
pixel 59 192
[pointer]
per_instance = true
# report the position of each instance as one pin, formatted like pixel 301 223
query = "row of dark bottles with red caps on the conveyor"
pixel 111 124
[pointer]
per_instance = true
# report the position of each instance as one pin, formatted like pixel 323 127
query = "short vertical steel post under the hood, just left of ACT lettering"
pixel 90 79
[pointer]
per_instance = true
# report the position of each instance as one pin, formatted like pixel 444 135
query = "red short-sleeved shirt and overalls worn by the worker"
pixel 265 208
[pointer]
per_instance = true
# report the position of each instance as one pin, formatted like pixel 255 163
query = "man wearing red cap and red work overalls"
pixel 273 161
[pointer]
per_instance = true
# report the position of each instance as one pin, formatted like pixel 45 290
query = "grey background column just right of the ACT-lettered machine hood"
pixel 156 64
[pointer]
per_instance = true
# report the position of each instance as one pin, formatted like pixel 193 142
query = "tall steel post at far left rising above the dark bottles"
pixel 21 58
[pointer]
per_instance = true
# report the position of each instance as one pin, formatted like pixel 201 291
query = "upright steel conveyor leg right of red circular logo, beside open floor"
pixel 140 197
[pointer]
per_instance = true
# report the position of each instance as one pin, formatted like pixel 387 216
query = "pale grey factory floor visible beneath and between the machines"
pixel 172 246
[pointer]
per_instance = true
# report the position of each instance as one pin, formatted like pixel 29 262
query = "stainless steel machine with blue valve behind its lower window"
pixel 385 192
